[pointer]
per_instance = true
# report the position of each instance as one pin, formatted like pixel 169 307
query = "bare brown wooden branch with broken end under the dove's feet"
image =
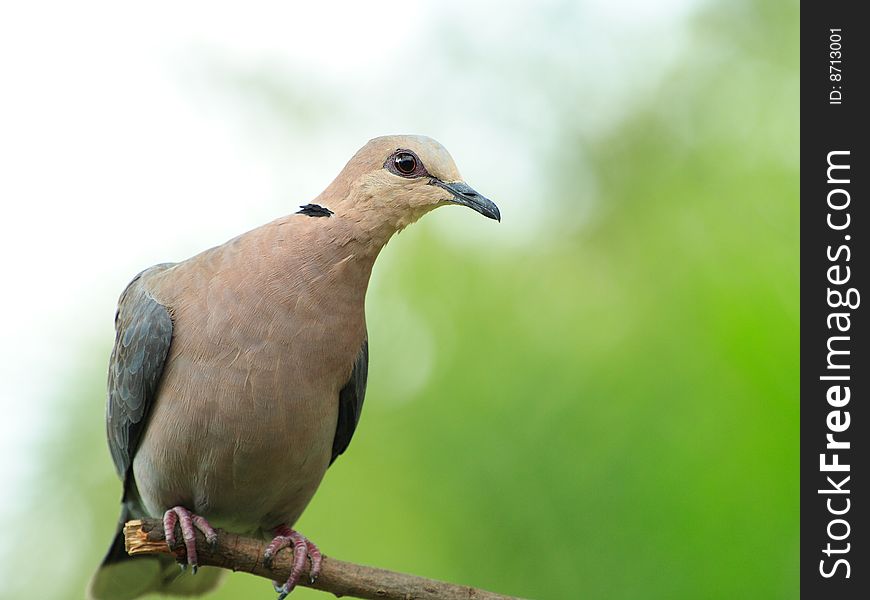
pixel 341 578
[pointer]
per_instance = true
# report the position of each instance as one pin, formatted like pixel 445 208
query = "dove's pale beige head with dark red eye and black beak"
pixel 397 179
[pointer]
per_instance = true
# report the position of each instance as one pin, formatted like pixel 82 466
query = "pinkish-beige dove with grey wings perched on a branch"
pixel 238 376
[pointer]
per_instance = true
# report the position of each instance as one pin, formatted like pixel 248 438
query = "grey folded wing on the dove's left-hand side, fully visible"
pixel 143 332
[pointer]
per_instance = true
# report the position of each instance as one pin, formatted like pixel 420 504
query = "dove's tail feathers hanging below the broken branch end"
pixel 122 577
